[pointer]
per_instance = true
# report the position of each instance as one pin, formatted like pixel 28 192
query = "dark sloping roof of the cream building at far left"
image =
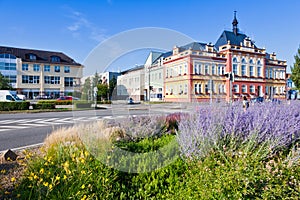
pixel 41 55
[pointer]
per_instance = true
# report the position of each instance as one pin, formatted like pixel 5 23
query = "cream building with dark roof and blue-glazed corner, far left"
pixel 37 72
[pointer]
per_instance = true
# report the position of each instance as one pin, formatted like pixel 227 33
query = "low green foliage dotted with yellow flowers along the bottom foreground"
pixel 69 171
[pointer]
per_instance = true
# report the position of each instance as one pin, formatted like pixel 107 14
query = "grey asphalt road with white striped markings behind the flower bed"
pixel 23 129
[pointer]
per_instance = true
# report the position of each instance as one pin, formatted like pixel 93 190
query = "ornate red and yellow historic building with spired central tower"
pixel 231 68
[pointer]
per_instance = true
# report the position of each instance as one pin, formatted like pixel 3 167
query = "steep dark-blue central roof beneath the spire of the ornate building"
pixel 230 36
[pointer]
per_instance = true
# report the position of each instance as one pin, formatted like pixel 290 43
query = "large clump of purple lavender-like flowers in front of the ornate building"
pixel 274 126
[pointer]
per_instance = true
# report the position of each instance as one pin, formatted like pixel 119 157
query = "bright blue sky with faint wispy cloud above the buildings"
pixel 76 27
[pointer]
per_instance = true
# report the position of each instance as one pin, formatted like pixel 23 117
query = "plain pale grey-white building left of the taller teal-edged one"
pixel 131 83
